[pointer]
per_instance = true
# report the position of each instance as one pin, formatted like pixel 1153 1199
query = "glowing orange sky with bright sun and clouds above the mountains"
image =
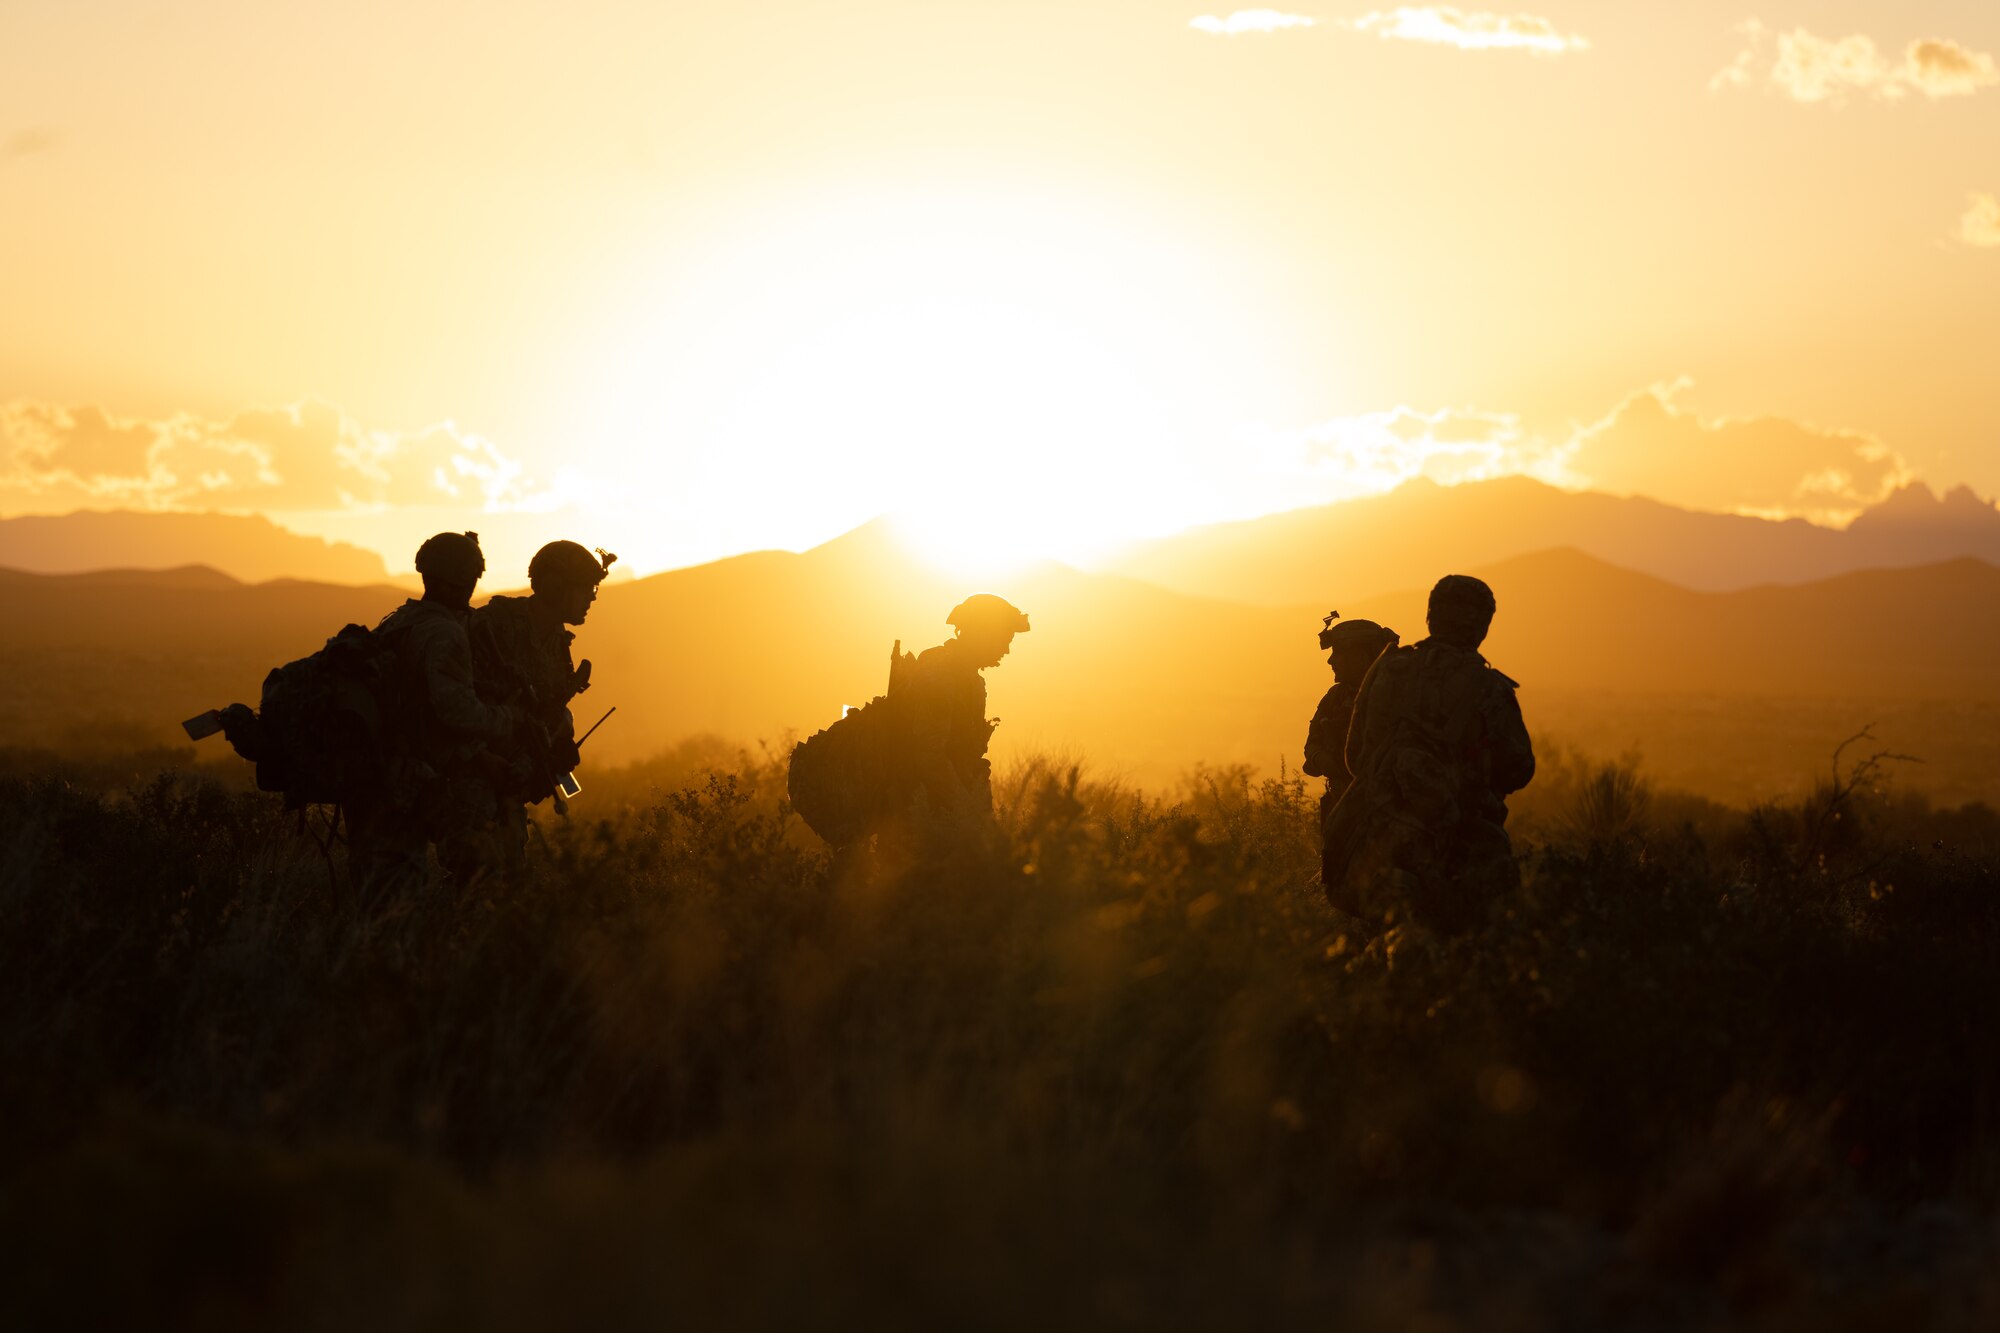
pixel 697 279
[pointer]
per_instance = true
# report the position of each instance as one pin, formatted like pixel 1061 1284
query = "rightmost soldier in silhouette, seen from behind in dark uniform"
pixel 1437 746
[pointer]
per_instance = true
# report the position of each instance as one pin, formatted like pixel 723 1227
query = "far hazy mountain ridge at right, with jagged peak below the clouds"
pixel 1409 537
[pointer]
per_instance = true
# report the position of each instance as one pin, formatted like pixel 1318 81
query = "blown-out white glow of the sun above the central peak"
pixel 1011 373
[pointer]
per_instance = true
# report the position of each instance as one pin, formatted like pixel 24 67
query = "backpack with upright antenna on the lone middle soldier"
pixel 847 778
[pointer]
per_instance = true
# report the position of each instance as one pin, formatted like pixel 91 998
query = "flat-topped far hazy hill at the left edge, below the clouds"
pixel 245 547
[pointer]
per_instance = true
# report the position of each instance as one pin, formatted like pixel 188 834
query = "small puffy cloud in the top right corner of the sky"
pixel 1813 69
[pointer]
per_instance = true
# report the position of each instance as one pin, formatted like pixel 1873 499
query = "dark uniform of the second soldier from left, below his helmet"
pixel 521 659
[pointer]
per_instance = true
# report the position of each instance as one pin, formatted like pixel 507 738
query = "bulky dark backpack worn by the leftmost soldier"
pixel 327 724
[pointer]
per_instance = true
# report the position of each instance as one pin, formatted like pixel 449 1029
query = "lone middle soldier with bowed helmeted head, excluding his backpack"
pixel 949 726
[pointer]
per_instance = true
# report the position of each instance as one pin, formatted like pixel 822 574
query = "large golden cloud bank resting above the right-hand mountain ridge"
pixel 1765 465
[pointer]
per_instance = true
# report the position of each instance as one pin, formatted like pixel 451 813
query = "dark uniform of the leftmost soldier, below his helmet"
pixel 449 730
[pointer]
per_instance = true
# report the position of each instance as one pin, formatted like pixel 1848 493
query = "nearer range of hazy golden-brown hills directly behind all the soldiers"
pixel 1735 694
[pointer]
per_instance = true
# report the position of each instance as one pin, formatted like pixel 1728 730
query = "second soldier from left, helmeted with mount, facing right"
pixel 521 655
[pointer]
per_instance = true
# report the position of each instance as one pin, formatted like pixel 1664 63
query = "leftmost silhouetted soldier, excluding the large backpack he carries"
pixel 447 728
